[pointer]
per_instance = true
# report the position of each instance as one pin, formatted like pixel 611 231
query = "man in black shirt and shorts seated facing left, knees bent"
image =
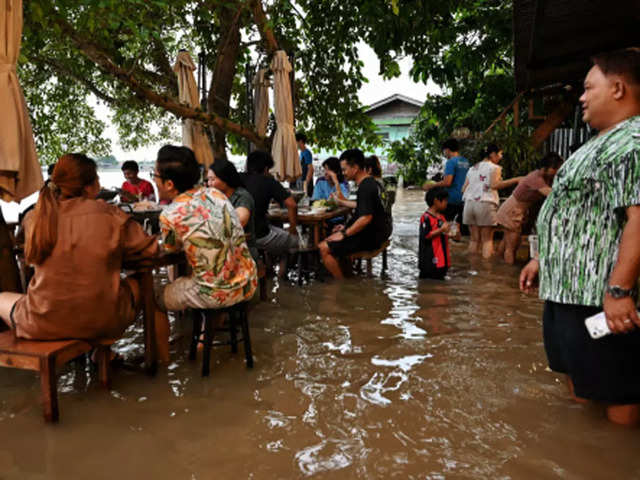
pixel 368 228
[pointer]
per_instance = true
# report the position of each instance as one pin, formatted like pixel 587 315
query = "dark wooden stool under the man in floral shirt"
pixel 238 316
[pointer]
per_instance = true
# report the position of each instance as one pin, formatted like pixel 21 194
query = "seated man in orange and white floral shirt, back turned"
pixel 203 223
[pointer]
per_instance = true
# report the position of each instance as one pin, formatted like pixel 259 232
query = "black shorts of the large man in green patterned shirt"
pixel 604 370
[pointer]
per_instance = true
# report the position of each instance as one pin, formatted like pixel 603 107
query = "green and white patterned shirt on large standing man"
pixel 580 223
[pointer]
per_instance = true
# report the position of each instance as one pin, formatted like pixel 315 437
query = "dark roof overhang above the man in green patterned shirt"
pixel 554 39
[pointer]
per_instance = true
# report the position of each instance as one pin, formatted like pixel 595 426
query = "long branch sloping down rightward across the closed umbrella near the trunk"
pixel 105 63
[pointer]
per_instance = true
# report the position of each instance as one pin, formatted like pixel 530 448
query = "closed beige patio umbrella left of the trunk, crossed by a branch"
pixel 194 135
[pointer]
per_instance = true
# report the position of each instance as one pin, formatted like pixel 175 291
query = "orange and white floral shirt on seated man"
pixel 204 223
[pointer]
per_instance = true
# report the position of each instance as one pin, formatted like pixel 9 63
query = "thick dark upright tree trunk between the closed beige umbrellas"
pixel 224 72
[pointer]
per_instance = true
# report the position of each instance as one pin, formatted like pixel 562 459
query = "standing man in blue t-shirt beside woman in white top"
pixel 455 173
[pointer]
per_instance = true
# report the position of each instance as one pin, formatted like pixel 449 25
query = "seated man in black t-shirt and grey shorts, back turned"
pixel 264 188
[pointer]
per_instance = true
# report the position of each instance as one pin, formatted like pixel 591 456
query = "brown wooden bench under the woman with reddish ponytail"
pixel 46 357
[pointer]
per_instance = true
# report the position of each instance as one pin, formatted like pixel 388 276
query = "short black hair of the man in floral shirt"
pixel 179 165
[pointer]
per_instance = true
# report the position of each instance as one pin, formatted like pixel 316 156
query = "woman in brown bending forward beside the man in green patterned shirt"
pixel 532 189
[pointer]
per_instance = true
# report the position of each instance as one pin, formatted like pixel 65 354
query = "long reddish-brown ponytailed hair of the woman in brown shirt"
pixel 72 173
